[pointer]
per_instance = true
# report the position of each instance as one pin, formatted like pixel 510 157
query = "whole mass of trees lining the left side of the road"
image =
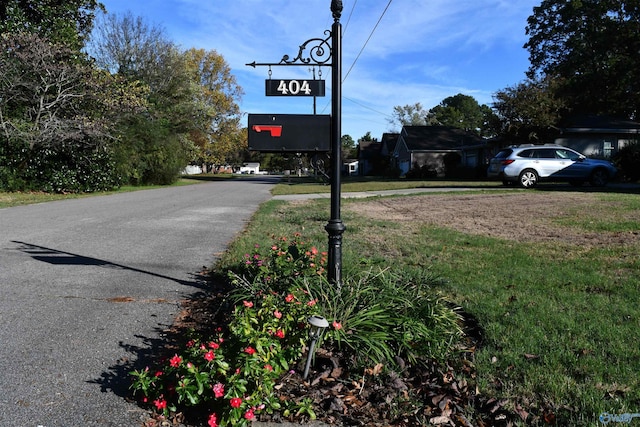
pixel 127 105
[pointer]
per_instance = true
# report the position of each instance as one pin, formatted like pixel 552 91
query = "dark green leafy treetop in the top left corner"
pixel 66 22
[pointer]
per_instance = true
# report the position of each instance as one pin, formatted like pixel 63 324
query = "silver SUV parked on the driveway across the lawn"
pixel 527 165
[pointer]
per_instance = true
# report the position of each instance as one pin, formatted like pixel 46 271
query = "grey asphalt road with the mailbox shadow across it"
pixel 87 286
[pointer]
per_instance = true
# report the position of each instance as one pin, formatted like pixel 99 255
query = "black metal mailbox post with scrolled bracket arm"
pixel 320 53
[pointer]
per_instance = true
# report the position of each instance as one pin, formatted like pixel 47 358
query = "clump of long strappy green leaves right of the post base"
pixel 377 317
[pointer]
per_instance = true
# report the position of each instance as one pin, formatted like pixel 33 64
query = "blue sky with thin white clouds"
pixel 422 50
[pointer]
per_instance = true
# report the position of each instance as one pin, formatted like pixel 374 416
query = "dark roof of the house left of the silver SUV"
pixel 434 138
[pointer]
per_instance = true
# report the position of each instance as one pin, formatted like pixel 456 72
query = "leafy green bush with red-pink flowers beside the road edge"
pixel 232 375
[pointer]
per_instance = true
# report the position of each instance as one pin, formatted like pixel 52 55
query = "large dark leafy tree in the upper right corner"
pixel 591 47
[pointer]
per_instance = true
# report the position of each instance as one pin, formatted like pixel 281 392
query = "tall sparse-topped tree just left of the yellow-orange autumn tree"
pixel 153 147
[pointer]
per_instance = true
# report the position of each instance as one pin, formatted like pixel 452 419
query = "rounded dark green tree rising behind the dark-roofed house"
pixel 464 112
